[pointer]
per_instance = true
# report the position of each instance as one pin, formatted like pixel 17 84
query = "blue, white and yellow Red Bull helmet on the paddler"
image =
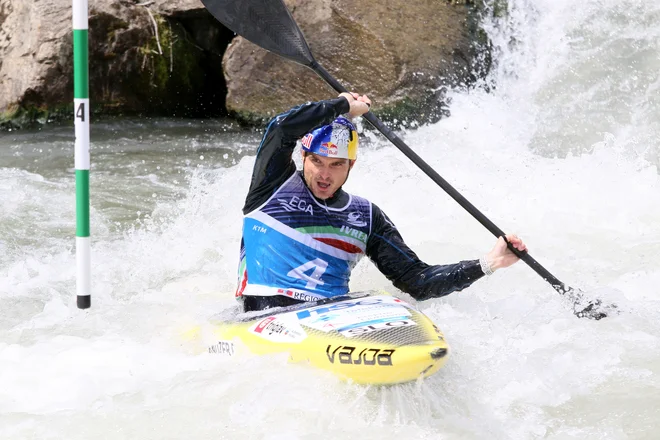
pixel 337 140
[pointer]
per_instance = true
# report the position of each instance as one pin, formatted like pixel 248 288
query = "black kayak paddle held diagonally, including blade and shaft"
pixel 269 24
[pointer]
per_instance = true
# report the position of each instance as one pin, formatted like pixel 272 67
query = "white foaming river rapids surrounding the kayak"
pixel 564 150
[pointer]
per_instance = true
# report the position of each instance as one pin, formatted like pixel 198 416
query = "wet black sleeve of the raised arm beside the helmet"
pixel 274 164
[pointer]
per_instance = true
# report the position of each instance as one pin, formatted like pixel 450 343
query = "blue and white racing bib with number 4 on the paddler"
pixel 295 246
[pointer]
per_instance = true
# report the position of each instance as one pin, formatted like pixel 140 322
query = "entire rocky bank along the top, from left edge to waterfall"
pixel 165 57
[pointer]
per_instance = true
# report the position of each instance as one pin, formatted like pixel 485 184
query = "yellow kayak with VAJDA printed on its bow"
pixel 365 337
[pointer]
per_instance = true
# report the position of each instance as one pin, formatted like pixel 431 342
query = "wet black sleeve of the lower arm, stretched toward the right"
pixel 407 272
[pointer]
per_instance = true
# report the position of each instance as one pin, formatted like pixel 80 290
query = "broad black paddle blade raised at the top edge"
pixel 266 23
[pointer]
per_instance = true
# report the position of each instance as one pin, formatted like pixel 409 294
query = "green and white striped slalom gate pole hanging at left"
pixel 81 118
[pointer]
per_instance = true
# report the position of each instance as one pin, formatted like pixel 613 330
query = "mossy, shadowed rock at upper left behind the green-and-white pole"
pixel 143 59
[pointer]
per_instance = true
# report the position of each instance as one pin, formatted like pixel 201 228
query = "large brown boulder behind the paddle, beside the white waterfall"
pixel 401 56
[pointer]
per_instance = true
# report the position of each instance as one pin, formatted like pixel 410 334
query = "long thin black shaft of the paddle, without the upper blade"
pixel 453 193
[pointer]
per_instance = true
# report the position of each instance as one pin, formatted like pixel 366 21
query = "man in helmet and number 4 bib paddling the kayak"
pixel 303 234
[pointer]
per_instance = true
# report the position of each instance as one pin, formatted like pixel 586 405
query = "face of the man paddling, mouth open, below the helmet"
pixel 324 175
